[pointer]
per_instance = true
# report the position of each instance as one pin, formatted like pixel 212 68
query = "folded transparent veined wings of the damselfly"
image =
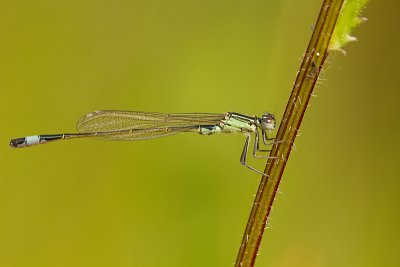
pixel 132 125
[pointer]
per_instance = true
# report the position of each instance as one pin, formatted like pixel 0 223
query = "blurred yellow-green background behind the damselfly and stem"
pixel 185 200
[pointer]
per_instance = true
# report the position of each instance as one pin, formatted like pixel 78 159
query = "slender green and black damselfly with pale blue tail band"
pixel 131 125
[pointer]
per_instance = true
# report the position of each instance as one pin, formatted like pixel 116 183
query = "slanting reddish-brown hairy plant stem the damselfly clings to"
pixel 313 61
